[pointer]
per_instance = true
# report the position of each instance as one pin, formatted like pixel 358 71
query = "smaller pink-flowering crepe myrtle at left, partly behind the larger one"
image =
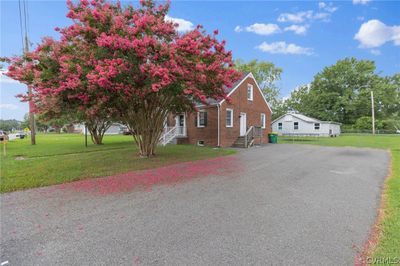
pixel 55 71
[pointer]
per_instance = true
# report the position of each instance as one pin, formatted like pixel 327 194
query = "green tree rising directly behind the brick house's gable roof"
pixel 266 74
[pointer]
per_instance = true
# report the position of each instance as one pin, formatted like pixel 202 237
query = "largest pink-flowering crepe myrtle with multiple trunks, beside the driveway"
pixel 132 64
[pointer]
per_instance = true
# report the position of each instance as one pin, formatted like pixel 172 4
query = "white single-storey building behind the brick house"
pixel 301 125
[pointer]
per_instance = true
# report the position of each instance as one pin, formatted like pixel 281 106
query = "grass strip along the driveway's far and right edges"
pixel 389 225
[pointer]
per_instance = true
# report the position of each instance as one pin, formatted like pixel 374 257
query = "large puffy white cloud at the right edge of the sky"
pixel 375 33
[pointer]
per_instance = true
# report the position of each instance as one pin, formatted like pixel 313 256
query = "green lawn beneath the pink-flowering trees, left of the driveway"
pixel 59 158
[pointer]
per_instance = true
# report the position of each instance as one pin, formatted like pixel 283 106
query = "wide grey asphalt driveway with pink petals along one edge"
pixel 272 205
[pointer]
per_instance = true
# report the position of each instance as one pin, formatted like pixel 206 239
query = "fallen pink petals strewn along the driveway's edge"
pixel 146 179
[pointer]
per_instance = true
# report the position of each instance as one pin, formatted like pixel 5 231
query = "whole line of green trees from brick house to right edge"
pixel 340 93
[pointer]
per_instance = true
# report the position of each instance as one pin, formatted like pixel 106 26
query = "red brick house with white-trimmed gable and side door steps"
pixel 246 120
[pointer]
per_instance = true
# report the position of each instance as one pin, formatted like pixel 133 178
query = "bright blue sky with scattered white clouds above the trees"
pixel 301 37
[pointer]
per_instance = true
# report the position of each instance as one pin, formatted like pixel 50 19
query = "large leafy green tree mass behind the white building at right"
pixel 341 92
